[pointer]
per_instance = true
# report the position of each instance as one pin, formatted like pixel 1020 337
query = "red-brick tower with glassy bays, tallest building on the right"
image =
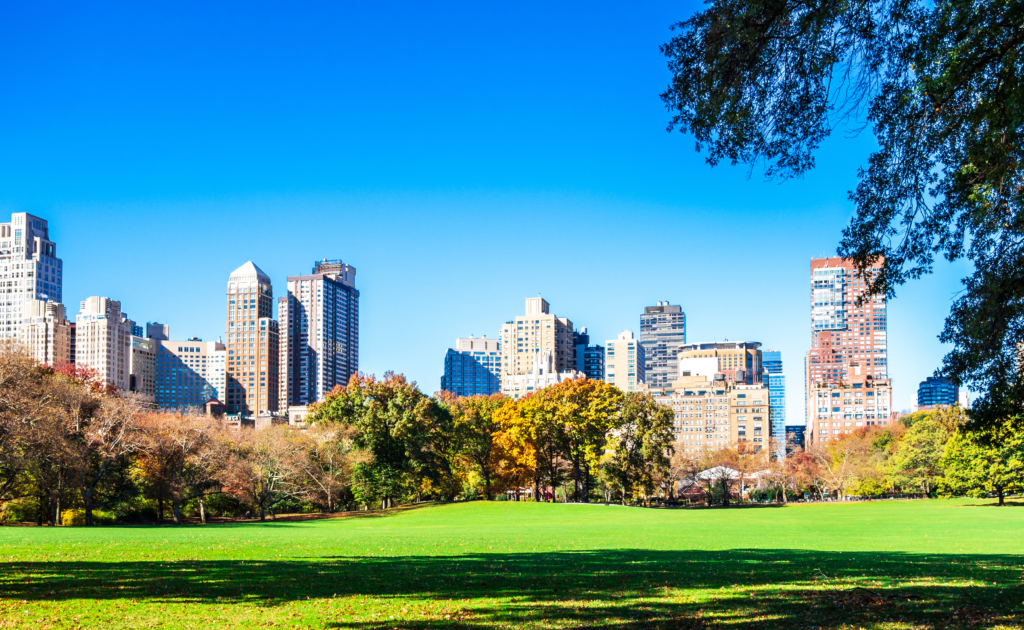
pixel 841 330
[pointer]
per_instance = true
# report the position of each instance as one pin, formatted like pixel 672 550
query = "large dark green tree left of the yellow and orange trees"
pixel 389 418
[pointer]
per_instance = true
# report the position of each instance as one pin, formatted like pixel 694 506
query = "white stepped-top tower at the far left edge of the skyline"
pixel 30 271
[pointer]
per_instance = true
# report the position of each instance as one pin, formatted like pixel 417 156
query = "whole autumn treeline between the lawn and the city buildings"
pixel 74 451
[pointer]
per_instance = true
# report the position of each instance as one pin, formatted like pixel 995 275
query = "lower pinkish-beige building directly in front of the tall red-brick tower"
pixel 840 407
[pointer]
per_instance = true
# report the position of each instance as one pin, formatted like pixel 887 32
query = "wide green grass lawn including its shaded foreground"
pixel 886 565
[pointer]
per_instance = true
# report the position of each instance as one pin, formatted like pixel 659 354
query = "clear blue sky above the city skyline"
pixel 463 156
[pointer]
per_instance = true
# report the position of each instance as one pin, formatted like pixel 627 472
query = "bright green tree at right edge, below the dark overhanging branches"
pixel 977 466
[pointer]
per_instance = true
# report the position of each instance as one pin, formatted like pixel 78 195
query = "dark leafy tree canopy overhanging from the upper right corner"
pixel 764 82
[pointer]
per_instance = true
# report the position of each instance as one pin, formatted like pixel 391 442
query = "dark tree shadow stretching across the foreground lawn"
pixel 744 589
